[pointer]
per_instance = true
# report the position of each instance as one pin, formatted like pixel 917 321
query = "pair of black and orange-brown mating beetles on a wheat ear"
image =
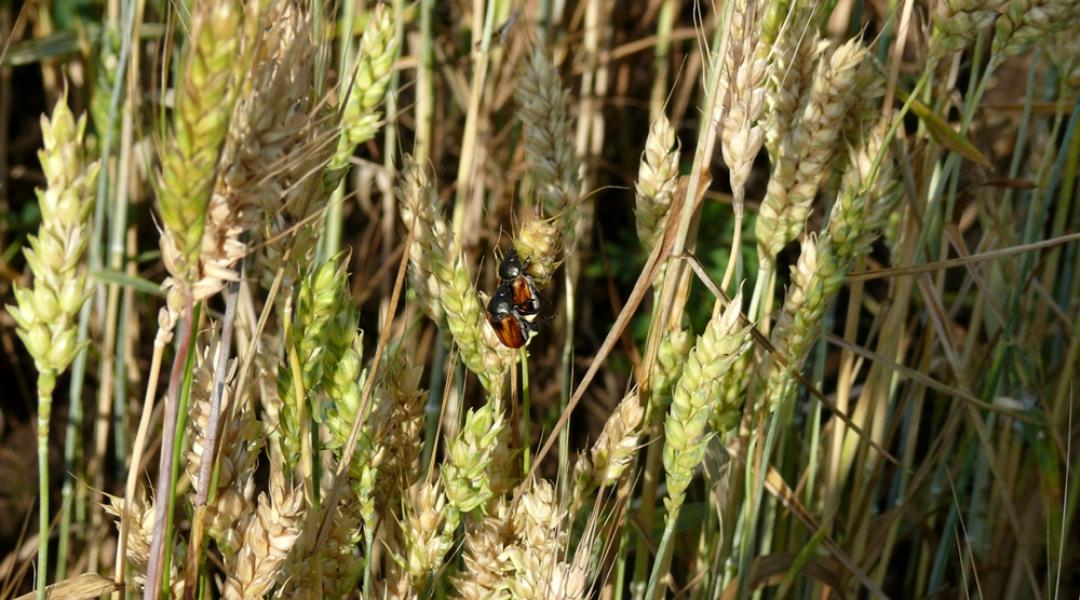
pixel 516 304
